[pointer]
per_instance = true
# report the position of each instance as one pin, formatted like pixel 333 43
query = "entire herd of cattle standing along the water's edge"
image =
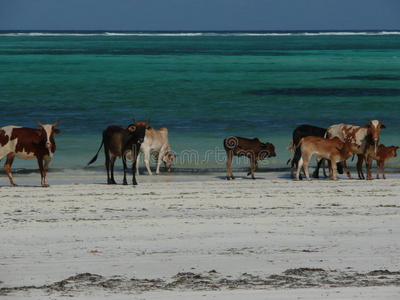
pixel 335 144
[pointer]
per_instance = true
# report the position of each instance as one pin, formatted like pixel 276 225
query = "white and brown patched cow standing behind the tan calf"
pixel 364 141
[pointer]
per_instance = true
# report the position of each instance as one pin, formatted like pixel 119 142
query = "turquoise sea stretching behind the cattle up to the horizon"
pixel 203 86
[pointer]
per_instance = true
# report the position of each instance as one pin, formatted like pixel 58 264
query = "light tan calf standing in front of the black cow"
pixel 333 149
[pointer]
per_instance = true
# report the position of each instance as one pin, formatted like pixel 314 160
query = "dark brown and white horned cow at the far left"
pixel 28 143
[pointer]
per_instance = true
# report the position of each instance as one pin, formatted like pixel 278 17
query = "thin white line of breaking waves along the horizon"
pixel 195 34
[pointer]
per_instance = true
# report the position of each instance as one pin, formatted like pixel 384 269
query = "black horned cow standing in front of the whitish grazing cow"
pixel 123 143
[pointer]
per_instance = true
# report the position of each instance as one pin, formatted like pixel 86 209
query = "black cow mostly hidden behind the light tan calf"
pixel 301 132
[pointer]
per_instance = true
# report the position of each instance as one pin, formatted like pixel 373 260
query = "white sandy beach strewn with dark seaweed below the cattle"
pixel 200 237
